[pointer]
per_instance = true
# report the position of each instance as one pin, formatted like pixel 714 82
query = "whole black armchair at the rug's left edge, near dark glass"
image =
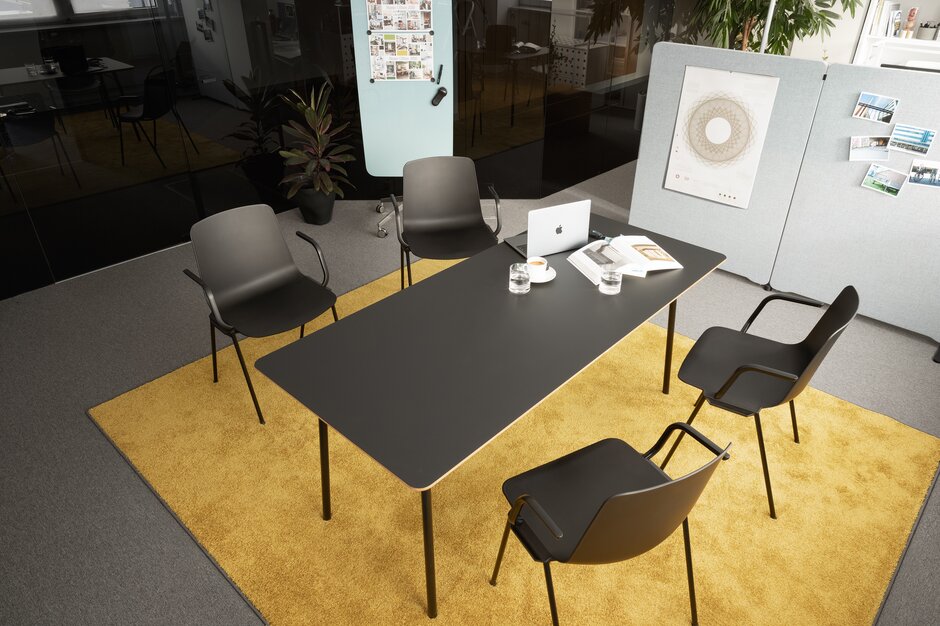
pixel 250 280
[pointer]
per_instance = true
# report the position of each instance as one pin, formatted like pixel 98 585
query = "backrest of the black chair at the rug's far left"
pixel 241 252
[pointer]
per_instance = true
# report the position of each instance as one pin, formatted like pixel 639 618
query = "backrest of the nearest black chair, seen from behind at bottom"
pixel 629 524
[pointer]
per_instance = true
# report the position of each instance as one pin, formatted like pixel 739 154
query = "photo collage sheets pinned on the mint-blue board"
pixel 405 54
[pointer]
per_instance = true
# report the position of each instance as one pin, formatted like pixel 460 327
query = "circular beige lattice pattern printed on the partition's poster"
pixel 719 129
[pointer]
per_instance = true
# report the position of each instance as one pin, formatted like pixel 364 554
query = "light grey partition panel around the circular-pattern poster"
pixel 748 237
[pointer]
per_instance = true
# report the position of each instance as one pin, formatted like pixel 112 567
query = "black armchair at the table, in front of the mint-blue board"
pixel 442 218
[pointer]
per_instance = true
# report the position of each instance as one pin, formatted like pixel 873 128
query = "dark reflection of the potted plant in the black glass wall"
pixel 261 164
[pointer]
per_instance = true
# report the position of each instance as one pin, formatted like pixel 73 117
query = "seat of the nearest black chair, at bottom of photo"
pixel 572 489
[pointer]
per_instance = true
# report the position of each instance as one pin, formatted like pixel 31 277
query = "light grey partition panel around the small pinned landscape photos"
pixel 839 233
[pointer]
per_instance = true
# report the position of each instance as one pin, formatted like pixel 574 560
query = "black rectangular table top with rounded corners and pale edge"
pixel 423 379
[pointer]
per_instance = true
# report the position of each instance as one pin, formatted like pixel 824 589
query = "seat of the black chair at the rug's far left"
pixel 279 309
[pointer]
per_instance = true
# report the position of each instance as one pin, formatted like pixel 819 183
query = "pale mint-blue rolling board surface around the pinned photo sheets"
pixel 399 123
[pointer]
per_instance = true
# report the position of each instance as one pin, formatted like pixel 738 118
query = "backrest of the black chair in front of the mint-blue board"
pixel 441 193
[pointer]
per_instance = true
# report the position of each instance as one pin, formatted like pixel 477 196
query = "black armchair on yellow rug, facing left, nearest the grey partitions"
pixel 745 374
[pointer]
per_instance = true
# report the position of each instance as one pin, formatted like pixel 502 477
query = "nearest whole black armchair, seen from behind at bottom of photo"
pixel 603 504
